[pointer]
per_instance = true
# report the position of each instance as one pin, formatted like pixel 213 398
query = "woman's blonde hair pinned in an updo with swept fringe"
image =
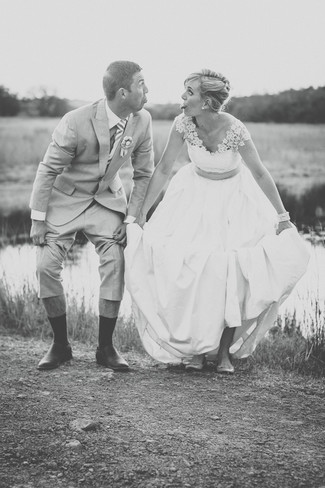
pixel 214 88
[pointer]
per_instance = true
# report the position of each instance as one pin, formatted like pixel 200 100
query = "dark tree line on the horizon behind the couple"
pixel 291 106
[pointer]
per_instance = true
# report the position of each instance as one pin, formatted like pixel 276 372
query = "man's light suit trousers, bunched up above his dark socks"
pixel 98 223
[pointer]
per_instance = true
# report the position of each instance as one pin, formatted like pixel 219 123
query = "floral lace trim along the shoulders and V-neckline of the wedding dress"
pixel 235 136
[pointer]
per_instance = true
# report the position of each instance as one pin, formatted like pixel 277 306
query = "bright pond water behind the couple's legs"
pixel 81 280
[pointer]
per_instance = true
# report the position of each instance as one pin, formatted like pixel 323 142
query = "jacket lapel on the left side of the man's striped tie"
pixel 100 123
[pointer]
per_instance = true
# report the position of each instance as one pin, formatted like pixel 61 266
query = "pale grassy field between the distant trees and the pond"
pixel 294 154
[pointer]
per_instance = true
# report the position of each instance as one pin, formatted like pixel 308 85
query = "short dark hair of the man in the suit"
pixel 119 74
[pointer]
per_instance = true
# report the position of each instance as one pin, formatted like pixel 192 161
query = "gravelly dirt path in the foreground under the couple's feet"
pixel 82 425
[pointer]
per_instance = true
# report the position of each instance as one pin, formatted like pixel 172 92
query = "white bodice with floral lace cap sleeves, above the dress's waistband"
pixel 225 158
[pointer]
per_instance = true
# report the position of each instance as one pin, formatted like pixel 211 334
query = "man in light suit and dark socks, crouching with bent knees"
pixel 78 188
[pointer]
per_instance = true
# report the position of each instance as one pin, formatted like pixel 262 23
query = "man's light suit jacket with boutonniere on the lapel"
pixel 75 170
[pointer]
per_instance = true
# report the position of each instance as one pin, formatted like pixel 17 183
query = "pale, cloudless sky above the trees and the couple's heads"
pixel 261 46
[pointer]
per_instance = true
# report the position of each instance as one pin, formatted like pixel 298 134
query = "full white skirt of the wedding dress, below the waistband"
pixel 209 258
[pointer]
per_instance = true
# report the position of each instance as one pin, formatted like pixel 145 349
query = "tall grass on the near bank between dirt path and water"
pixel 283 348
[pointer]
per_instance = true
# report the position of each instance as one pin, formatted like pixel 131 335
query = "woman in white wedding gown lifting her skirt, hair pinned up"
pixel 219 255
